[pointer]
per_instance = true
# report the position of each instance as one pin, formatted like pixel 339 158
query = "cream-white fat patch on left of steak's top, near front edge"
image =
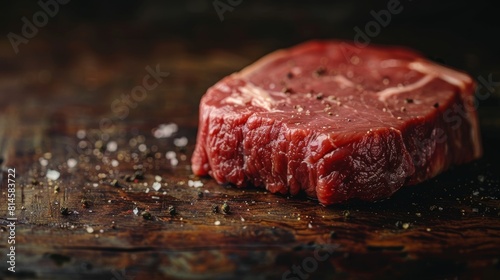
pixel 252 94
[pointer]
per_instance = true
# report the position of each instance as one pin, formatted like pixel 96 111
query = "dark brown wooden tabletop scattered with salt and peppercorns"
pixel 61 105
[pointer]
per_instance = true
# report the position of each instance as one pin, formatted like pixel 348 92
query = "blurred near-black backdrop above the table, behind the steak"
pixel 460 33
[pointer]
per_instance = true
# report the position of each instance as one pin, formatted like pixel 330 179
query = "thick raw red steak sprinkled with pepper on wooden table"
pixel 336 122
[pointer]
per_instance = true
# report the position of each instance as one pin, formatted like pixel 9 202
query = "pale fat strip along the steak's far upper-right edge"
pixel 451 76
